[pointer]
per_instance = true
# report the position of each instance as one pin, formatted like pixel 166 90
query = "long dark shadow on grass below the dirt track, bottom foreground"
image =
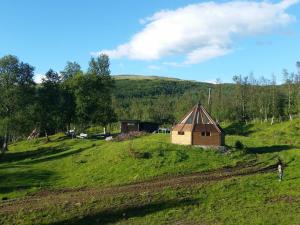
pixel 114 215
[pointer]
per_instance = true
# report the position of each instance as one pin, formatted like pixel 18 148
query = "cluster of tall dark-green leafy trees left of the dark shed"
pixel 61 100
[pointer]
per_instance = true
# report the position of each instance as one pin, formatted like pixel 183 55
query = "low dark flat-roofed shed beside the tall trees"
pixel 128 126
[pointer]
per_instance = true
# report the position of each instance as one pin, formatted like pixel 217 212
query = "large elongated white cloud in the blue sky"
pixel 202 31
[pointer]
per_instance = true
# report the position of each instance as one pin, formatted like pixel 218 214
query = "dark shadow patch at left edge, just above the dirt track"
pixel 23 180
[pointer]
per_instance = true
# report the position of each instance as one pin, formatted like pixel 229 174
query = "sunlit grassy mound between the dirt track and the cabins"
pixel 78 163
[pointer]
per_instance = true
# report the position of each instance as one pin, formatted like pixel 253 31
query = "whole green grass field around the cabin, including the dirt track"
pixel 86 181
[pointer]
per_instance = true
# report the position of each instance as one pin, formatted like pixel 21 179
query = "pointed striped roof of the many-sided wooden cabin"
pixel 198 115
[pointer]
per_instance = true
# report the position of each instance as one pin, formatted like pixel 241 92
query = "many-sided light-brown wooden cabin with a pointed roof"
pixel 198 128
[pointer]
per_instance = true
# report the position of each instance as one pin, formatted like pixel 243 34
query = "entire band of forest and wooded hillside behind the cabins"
pixel 83 99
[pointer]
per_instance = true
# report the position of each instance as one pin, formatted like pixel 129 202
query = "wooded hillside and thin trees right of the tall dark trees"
pixel 247 99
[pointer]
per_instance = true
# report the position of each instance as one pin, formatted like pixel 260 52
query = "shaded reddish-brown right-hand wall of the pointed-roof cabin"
pixel 215 139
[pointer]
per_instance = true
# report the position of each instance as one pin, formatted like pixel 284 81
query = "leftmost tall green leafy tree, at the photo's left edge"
pixel 17 91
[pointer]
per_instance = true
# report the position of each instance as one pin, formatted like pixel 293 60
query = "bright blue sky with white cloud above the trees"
pixel 186 39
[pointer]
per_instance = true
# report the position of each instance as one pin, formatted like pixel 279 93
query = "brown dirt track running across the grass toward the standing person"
pixel 47 198
